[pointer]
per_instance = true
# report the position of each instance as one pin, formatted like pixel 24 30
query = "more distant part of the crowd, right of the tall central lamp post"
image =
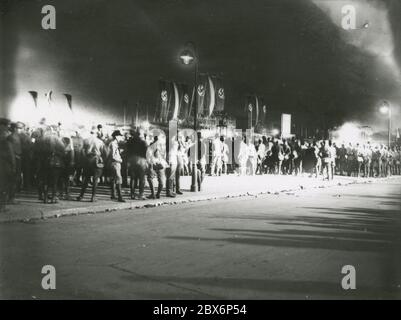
pixel 322 158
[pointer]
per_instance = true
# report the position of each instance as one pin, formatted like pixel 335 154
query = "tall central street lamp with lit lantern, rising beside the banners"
pixel 189 56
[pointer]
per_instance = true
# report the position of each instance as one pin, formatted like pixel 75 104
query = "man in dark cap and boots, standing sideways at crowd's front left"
pixel 115 163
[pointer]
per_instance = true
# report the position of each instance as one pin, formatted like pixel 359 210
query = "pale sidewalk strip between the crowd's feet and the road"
pixel 29 208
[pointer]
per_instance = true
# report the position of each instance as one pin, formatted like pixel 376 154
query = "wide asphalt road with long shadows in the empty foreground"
pixel 287 246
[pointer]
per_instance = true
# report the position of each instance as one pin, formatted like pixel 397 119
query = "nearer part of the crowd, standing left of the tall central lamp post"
pixel 48 159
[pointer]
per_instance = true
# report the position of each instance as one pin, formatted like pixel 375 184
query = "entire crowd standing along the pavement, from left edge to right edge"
pixel 47 159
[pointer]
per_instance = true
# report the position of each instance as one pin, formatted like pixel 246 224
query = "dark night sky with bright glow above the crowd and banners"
pixel 294 53
